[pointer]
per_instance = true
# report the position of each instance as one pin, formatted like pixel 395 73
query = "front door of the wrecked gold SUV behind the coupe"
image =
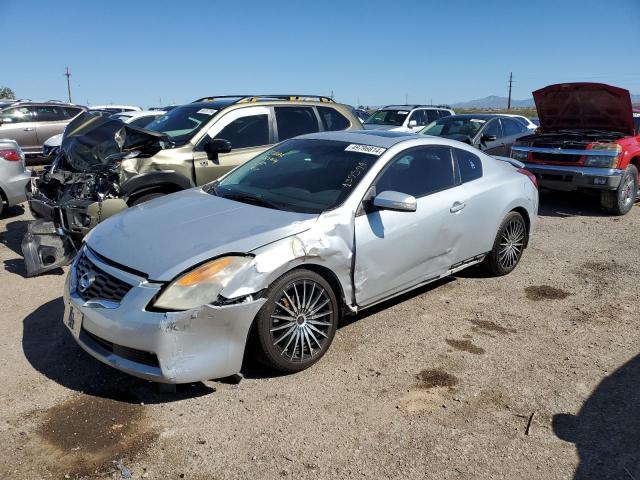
pixel 249 131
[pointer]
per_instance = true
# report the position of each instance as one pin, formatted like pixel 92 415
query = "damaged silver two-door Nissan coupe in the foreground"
pixel 317 227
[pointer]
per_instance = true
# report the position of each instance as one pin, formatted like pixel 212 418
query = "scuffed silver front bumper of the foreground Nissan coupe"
pixel 168 347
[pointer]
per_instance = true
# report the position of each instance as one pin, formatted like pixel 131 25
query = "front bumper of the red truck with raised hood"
pixel 568 178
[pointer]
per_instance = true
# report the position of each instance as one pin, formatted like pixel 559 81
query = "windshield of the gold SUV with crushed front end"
pixel 182 123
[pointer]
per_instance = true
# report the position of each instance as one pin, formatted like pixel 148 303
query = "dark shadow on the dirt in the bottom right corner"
pixel 606 431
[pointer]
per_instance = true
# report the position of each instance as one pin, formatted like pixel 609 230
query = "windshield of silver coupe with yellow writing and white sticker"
pixel 299 175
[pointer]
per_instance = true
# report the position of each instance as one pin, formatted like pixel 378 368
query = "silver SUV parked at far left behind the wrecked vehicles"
pixel 30 124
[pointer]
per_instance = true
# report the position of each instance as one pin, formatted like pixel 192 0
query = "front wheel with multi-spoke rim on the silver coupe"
pixel 296 325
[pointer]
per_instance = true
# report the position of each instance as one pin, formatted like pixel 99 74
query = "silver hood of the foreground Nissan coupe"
pixel 166 236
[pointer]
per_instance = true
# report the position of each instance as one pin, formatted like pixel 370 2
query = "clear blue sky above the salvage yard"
pixel 136 52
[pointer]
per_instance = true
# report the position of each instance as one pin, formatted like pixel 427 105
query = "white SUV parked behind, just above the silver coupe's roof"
pixel 405 118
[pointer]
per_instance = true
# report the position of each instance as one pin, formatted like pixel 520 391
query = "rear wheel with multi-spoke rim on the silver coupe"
pixel 508 246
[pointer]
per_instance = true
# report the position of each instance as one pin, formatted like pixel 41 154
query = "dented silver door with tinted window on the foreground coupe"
pixel 395 250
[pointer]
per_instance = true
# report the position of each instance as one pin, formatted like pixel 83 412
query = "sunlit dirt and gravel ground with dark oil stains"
pixel 530 376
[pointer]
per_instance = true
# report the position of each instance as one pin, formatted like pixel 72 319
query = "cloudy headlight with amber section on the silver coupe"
pixel 200 285
